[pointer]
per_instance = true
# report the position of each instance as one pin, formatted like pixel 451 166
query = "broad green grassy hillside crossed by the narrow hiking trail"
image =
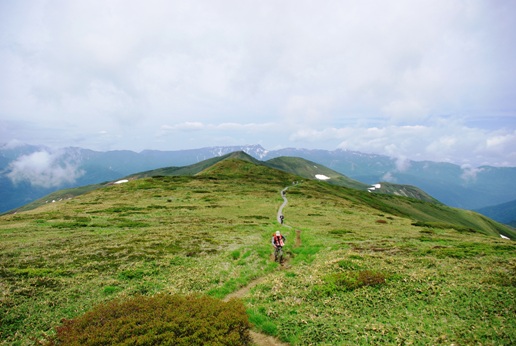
pixel 367 268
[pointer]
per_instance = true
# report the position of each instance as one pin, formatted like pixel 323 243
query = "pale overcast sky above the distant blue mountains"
pixel 421 80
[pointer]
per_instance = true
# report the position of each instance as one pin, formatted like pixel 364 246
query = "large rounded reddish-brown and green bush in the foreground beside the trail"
pixel 159 320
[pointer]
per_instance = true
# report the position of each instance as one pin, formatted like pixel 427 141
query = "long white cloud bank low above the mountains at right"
pixel 447 141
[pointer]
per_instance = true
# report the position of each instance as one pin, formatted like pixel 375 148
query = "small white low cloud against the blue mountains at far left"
pixel 44 169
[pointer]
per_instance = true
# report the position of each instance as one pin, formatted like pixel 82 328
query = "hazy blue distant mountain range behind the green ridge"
pixel 29 172
